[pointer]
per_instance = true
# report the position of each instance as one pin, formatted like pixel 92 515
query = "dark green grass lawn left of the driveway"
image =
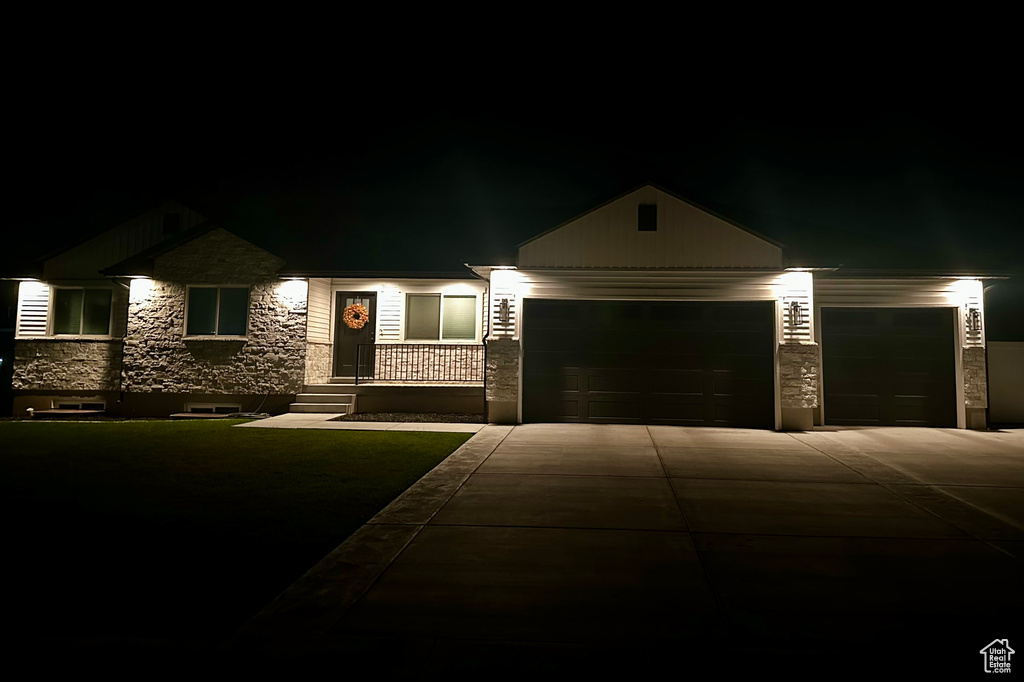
pixel 183 530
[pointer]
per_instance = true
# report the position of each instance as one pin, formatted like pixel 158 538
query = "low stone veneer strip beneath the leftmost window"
pixel 60 365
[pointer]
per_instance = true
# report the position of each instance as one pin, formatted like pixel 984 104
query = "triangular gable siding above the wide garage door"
pixel 687 237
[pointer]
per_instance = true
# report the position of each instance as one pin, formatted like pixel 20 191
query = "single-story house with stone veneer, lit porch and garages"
pixel 647 310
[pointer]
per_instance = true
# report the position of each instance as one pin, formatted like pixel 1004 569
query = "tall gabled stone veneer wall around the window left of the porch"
pixel 159 359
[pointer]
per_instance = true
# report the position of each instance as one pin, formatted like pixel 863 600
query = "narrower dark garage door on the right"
pixel 889 367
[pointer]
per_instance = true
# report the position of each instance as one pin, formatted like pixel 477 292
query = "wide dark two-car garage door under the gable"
pixel 699 364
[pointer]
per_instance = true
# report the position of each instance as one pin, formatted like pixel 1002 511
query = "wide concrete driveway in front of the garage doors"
pixel 631 548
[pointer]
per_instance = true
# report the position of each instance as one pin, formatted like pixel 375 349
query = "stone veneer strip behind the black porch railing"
pixel 428 363
